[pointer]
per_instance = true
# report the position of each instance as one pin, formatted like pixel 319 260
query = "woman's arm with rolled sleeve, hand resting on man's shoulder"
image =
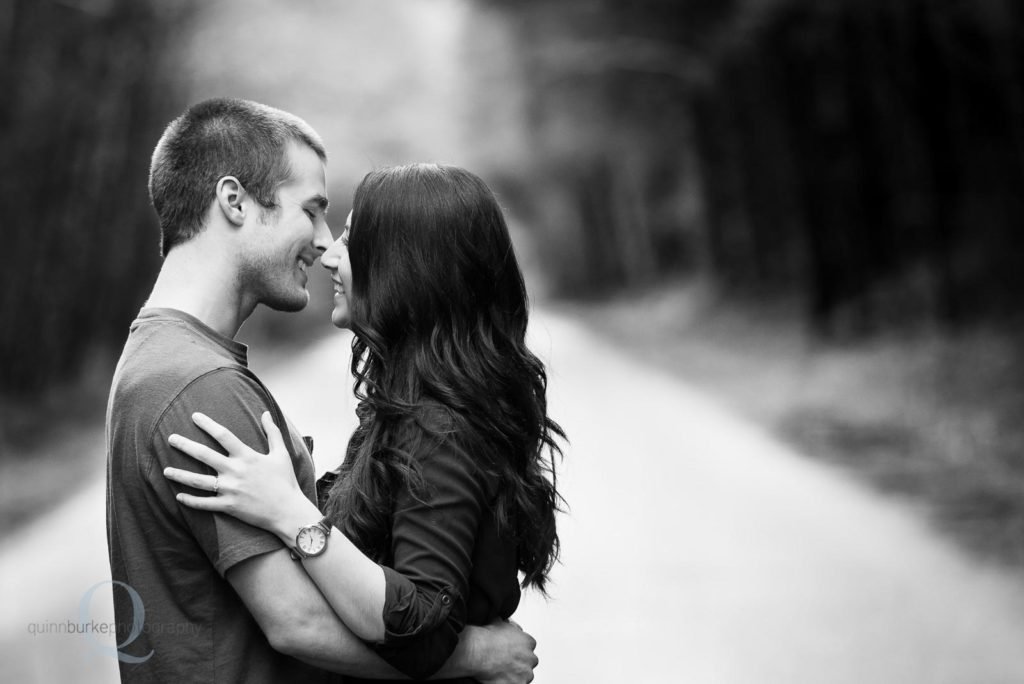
pixel 413 612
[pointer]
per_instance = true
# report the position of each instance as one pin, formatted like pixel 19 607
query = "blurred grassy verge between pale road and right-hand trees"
pixel 931 417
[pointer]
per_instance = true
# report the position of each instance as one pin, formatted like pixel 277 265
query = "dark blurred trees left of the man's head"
pixel 87 94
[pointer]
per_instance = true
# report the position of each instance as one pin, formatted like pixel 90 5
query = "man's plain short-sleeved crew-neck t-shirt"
pixel 196 628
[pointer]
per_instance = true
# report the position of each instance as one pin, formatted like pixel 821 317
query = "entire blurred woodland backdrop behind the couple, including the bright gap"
pixel 865 156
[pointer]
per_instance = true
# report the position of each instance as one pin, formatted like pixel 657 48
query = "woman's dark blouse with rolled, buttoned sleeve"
pixel 448 566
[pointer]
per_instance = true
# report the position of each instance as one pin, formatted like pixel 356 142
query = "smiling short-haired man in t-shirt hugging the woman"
pixel 240 193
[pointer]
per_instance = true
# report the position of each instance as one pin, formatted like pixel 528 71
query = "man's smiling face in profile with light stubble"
pixel 286 241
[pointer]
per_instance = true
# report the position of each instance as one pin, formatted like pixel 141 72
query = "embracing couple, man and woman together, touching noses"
pixel 405 563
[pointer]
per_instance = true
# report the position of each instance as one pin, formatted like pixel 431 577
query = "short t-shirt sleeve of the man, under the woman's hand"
pixel 235 401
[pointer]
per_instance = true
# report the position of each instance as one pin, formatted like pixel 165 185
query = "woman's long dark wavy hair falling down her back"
pixel 440 313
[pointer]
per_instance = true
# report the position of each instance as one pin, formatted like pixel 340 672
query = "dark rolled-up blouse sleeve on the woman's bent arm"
pixel 434 536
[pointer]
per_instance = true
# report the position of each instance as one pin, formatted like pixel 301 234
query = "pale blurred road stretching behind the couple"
pixel 698 550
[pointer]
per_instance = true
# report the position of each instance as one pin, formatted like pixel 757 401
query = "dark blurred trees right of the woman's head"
pixel 866 156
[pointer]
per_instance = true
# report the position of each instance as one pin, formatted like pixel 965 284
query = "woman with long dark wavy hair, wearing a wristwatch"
pixel 448 489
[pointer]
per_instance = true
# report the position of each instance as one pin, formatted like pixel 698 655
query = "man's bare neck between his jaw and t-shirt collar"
pixel 198 282
